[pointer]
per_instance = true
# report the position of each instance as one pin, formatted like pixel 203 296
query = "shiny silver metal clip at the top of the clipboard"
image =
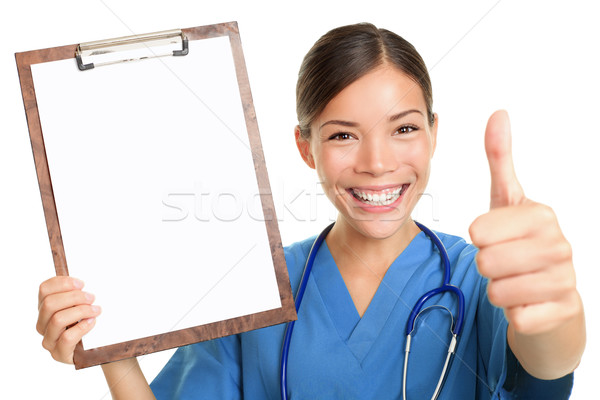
pixel 131 48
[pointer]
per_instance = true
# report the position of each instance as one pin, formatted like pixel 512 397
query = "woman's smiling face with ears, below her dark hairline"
pixel 371 147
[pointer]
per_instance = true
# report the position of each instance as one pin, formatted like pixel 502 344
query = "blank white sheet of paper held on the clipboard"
pixel 156 193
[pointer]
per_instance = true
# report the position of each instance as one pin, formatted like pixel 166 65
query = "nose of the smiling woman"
pixel 375 155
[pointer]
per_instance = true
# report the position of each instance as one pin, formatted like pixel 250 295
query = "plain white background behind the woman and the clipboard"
pixel 537 59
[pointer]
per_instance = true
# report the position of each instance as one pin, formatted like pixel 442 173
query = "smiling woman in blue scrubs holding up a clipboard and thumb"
pixel 367 127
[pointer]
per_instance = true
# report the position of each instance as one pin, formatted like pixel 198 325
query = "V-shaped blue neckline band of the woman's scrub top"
pixel 358 333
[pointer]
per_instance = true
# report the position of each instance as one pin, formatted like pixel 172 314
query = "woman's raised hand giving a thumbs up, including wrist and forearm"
pixel 528 261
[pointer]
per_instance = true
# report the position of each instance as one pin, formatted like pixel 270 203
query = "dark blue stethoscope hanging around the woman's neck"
pixel 455 328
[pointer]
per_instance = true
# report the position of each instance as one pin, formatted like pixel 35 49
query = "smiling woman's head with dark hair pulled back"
pixel 364 104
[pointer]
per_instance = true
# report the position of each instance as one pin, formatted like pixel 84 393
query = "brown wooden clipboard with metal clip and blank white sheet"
pixel 87 153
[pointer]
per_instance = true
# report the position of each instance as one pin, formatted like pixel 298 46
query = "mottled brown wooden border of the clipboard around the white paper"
pixel 179 337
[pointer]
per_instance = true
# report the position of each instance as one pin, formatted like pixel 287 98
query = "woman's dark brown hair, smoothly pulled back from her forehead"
pixel 345 54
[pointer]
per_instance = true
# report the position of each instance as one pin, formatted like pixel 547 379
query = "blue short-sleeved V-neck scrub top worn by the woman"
pixel 336 354
